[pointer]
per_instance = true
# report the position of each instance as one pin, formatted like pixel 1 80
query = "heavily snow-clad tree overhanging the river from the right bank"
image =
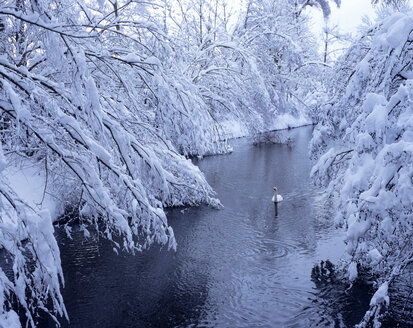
pixel 364 146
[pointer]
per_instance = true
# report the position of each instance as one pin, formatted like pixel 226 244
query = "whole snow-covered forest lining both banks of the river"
pixel 109 102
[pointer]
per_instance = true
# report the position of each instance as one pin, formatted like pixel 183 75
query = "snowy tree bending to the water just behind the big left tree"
pixel 181 108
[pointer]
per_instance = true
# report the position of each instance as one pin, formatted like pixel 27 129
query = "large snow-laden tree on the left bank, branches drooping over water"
pixel 81 85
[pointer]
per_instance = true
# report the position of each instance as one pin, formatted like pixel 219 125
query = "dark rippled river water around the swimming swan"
pixel 236 267
